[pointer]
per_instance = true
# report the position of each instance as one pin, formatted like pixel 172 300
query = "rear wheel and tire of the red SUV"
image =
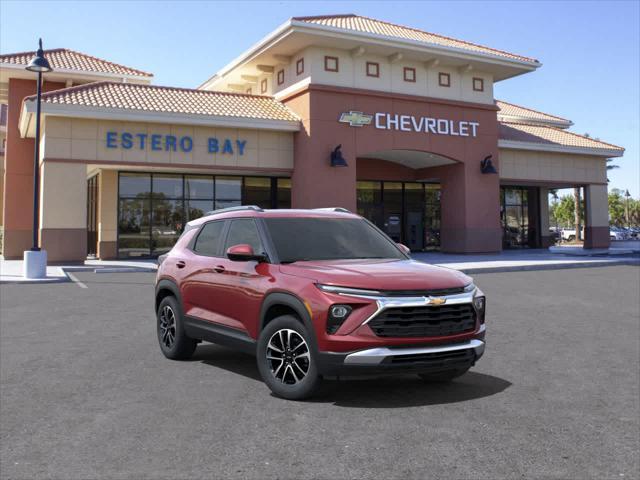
pixel 174 342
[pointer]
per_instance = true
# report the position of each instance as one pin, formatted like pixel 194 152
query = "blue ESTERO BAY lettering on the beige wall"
pixel 171 143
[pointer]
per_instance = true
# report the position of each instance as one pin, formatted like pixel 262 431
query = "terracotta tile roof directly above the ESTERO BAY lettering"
pixel 153 98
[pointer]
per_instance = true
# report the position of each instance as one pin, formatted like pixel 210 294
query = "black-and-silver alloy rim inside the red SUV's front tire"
pixel 288 356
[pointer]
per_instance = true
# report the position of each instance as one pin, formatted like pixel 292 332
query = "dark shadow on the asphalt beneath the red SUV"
pixel 391 391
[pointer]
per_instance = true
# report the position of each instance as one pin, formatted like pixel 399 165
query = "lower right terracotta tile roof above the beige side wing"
pixel 517 132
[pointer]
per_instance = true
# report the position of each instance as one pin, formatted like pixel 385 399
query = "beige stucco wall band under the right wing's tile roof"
pixel 551 167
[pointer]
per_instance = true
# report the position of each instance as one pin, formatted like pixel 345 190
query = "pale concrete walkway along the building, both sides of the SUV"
pixel 506 261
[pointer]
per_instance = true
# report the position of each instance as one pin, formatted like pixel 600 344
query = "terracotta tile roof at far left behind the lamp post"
pixel 65 59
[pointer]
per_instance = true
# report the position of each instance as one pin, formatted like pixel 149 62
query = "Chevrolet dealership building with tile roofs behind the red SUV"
pixel 398 124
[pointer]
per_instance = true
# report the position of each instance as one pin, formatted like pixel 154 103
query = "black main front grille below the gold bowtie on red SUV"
pixel 426 321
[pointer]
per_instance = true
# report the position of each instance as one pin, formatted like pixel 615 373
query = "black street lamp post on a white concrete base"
pixel 35 260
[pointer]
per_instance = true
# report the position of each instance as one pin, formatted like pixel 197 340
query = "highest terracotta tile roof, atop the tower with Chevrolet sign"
pixel 379 27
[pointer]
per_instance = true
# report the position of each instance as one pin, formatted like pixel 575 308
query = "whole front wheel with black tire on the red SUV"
pixel 287 360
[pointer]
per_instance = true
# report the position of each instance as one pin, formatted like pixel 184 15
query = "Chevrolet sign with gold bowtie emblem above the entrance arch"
pixel 411 123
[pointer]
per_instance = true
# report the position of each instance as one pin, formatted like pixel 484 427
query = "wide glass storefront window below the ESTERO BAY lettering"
pixel 153 208
